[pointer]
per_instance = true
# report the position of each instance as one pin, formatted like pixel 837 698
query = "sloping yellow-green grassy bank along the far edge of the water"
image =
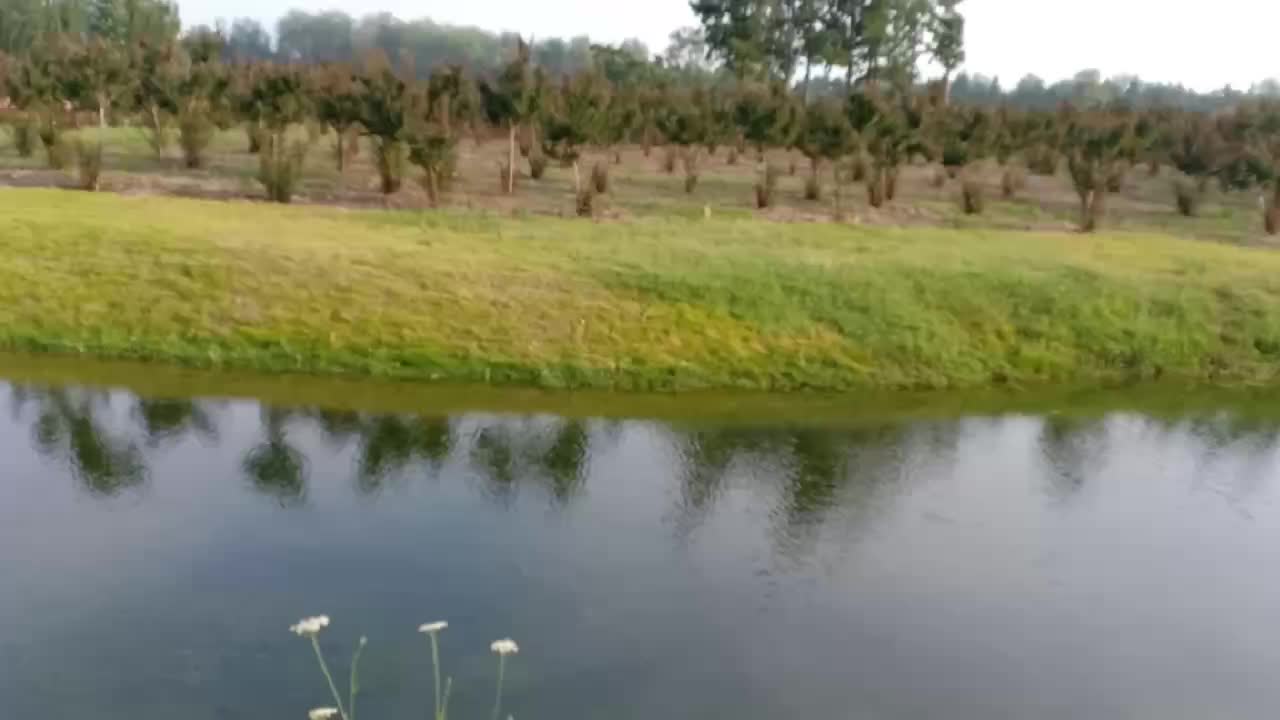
pixel 652 304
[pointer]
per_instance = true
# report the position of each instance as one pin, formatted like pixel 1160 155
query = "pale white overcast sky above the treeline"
pixel 1201 45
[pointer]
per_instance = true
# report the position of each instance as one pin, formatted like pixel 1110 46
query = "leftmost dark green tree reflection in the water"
pixel 70 427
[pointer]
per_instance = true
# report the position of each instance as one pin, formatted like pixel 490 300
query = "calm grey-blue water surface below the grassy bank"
pixel 153 555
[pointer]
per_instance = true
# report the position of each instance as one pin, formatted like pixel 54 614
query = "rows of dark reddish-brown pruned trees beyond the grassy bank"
pixel 186 90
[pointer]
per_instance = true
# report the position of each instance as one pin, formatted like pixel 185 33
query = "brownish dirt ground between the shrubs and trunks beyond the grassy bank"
pixel 641 188
